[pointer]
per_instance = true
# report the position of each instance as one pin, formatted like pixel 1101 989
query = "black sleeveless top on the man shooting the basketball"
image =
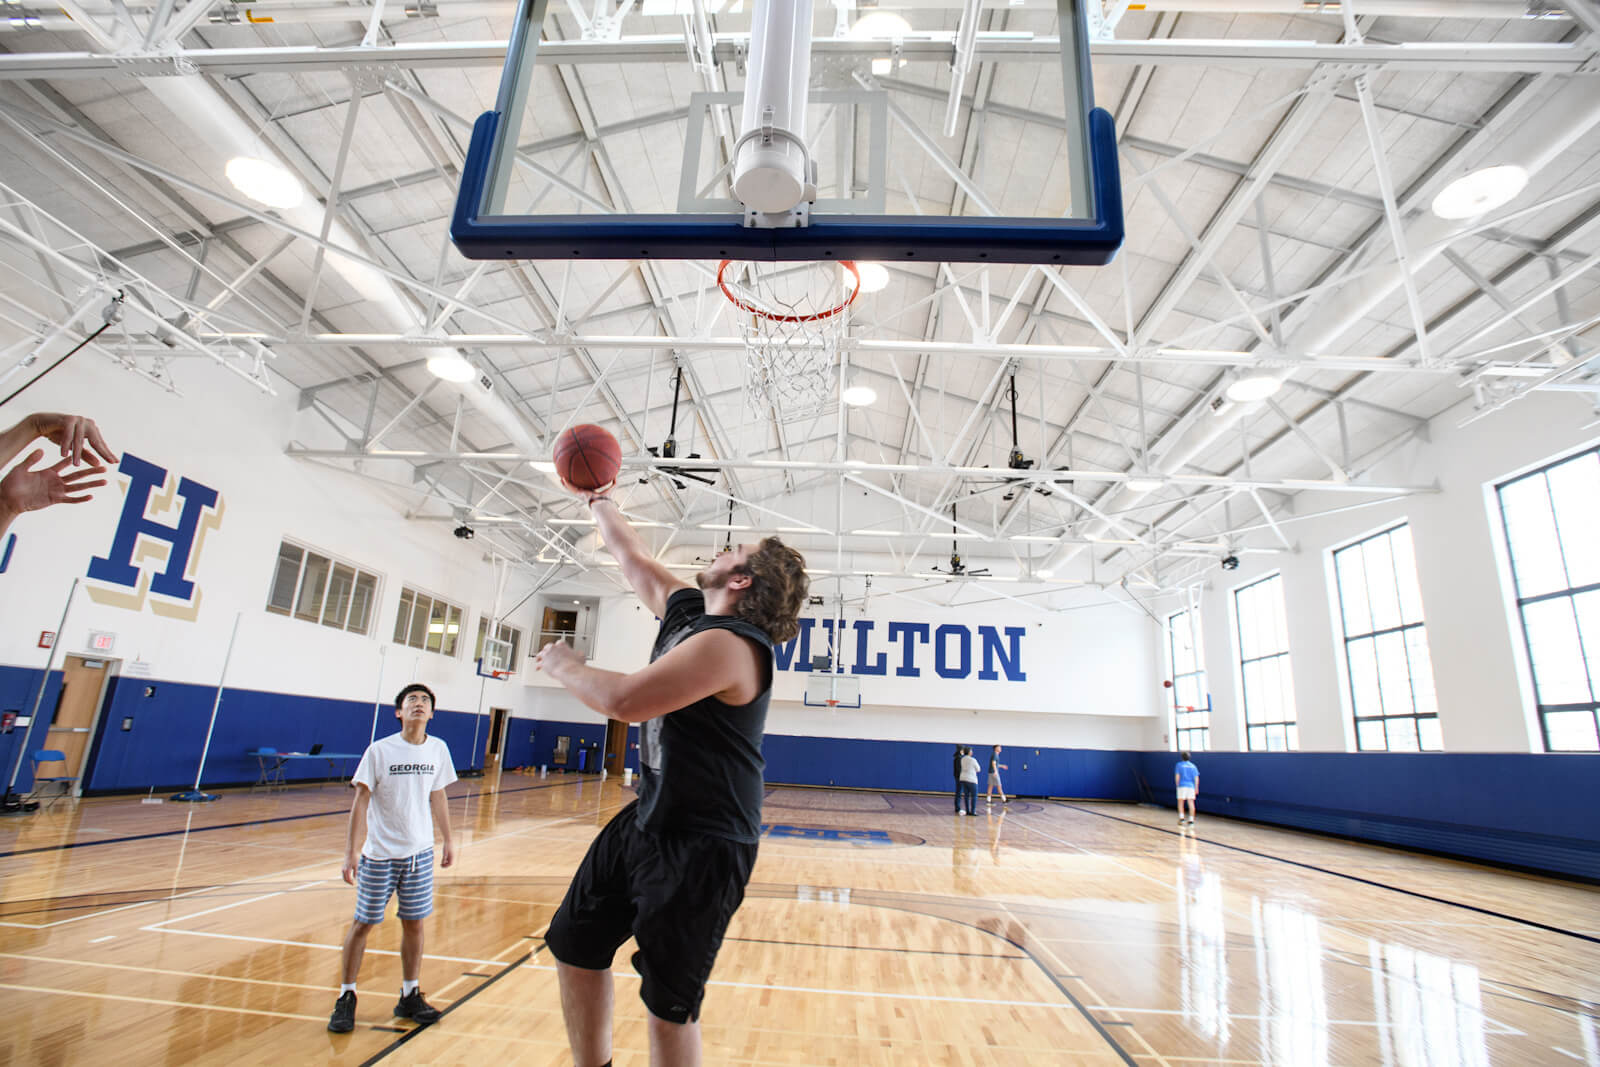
pixel 702 765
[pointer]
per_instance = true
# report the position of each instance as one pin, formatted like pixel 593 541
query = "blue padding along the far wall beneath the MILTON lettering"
pixel 930 767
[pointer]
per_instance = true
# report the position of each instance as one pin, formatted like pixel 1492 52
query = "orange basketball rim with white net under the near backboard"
pixel 793 319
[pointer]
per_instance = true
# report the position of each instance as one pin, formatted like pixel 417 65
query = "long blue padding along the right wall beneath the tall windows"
pixel 1505 807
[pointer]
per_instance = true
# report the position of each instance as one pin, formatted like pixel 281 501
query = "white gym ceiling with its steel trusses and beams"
pixel 1278 159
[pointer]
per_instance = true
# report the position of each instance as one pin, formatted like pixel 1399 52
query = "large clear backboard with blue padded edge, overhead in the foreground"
pixel 892 166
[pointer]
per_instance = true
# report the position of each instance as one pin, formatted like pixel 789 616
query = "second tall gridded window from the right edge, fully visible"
pixel 1385 645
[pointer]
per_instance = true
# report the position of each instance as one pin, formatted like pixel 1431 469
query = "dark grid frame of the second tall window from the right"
pixel 1404 629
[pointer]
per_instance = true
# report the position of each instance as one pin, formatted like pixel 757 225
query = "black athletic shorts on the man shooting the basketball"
pixel 674 893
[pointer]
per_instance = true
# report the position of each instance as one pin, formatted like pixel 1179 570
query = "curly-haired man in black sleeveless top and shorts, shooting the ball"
pixel 671 868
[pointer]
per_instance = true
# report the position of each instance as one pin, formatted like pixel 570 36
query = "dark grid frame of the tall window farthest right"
pixel 1516 604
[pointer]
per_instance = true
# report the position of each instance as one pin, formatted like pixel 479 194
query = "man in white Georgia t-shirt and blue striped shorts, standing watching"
pixel 399 801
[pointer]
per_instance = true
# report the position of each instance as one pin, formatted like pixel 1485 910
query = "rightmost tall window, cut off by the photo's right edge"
pixel 1553 518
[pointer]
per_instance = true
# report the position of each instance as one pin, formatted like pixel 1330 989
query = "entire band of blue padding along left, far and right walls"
pixel 1519 810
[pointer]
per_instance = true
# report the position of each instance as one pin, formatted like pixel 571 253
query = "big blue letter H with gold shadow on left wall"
pixel 154 559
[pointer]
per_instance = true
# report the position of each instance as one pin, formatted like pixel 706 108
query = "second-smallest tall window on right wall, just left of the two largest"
pixel 1265 668
